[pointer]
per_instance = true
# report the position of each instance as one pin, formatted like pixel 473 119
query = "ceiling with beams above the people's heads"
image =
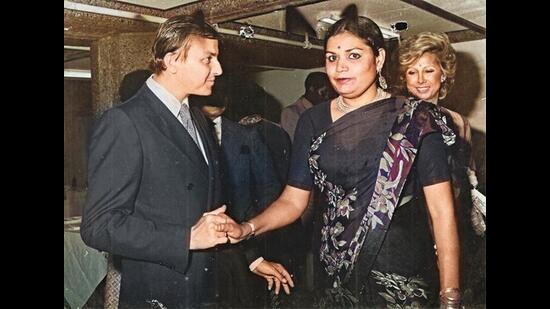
pixel 287 20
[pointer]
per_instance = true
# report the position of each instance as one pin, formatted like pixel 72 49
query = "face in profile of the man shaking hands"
pixel 198 71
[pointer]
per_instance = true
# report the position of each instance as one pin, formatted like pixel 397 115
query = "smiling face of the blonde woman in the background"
pixel 424 77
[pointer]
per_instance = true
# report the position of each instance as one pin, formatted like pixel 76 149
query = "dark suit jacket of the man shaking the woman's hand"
pixel 148 185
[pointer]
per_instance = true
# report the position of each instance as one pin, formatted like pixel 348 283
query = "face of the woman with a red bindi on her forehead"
pixel 351 65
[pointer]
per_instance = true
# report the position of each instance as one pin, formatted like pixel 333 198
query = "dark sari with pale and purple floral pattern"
pixel 361 204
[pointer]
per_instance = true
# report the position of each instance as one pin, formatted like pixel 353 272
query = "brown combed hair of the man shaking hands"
pixel 176 32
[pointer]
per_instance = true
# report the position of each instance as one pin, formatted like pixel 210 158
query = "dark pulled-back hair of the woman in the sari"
pixel 360 26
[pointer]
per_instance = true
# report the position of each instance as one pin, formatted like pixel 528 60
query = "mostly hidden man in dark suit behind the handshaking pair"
pixel 250 184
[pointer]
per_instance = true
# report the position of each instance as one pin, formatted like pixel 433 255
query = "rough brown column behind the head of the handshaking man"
pixel 112 58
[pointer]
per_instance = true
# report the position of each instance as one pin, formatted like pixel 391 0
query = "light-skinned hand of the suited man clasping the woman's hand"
pixel 204 233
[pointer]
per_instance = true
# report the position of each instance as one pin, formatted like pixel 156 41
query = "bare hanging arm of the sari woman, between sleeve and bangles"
pixel 439 200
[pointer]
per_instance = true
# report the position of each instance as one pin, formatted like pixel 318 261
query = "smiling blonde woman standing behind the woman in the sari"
pixel 427 66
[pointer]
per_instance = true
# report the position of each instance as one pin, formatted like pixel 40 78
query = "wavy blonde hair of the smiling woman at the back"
pixel 412 48
